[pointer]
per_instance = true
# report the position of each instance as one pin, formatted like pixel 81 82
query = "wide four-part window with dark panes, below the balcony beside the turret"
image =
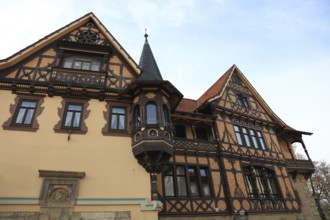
pixel 187 181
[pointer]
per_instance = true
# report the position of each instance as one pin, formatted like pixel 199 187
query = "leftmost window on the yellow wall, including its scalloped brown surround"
pixel 24 113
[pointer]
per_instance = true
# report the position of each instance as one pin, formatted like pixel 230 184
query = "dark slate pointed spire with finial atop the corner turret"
pixel 148 65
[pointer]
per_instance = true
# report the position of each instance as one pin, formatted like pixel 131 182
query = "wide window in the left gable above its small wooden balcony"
pixel 81 63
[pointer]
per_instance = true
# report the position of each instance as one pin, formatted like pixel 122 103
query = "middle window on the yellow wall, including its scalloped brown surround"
pixel 73 114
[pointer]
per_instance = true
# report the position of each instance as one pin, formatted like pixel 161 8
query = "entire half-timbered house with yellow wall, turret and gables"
pixel 87 133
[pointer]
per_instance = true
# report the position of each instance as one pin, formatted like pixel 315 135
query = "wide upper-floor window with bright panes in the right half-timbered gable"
pixel 249 137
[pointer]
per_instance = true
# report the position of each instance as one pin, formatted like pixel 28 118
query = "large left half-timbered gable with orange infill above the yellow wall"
pixel 43 61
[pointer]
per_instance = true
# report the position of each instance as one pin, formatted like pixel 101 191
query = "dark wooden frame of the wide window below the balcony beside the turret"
pixel 187 181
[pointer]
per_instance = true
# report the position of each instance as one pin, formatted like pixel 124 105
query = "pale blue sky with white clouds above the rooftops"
pixel 282 47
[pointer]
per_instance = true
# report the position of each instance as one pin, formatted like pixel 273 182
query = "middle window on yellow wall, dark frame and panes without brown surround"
pixel 72 116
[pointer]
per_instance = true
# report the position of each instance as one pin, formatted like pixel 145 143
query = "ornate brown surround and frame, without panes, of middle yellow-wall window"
pixel 82 129
